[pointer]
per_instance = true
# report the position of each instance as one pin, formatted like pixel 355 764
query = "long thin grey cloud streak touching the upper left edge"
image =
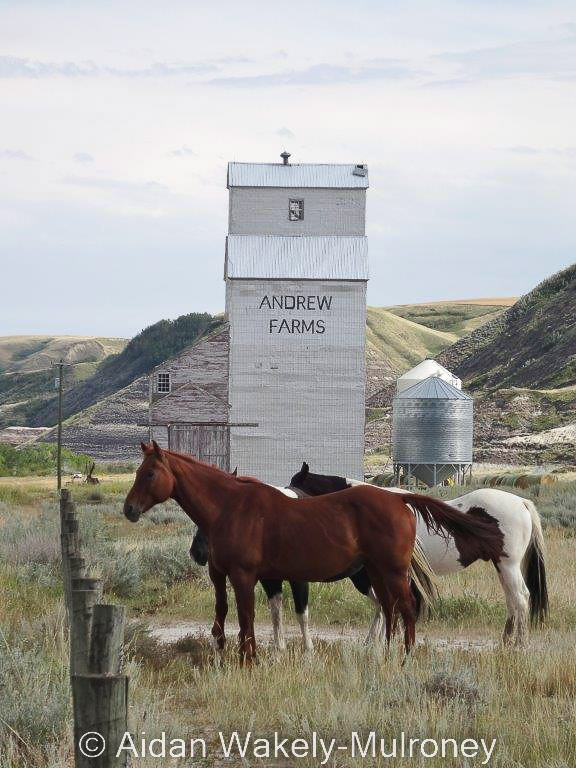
pixel 13 67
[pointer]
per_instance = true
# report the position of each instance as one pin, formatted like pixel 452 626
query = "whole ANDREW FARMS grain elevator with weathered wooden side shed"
pixel 283 379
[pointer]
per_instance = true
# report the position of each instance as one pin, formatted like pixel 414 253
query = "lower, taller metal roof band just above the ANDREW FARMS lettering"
pixel 296 257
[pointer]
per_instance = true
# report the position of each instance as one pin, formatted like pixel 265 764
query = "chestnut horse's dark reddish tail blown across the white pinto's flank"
pixel 476 533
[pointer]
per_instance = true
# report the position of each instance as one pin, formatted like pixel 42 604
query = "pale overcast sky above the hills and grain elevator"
pixel 117 120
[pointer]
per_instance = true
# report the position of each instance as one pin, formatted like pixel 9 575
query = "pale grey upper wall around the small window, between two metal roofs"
pixel 264 211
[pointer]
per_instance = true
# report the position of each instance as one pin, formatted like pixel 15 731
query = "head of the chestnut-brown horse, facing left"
pixel 154 483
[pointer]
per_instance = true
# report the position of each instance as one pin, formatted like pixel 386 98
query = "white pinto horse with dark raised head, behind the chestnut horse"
pixel 521 567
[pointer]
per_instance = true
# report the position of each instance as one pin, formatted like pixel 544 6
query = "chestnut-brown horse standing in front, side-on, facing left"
pixel 256 532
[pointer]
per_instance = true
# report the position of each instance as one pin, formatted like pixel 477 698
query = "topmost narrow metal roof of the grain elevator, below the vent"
pixel 321 176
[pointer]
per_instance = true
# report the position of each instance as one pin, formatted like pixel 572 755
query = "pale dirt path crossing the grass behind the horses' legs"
pixel 170 633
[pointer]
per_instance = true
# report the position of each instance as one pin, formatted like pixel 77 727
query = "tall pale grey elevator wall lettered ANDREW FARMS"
pixel 304 389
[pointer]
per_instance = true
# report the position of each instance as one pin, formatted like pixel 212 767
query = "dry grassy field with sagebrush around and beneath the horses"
pixel 457 684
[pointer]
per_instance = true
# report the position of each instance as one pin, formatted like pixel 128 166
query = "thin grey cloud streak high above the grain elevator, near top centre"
pixel 321 74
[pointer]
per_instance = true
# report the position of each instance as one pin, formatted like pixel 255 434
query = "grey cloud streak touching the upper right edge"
pixel 553 59
